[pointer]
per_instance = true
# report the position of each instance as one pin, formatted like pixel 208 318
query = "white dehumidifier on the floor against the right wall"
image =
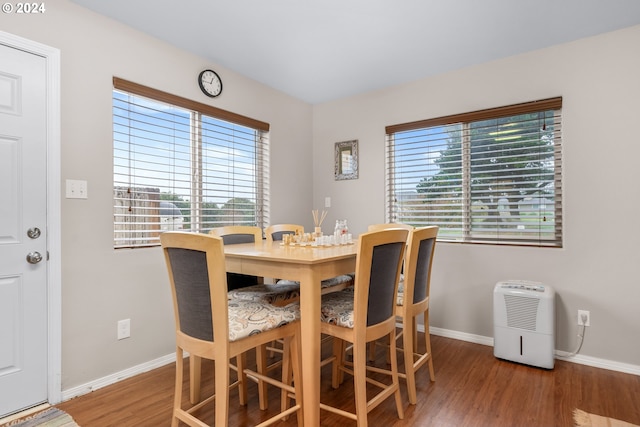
pixel 524 322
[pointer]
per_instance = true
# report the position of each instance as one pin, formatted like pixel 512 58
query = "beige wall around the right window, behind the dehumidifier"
pixel 599 267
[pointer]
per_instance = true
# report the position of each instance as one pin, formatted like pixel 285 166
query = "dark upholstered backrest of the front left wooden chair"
pixel 196 267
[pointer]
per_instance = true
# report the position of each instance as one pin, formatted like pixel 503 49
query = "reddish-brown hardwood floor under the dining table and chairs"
pixel 472 388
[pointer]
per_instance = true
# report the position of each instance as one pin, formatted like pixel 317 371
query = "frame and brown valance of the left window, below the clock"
pixel 197 111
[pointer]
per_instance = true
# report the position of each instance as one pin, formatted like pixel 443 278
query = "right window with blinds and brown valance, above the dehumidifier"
pixel 490 176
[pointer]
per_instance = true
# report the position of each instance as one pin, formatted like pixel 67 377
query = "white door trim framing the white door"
pixel 54 270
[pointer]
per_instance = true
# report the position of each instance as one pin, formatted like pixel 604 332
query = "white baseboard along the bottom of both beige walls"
pixel 447 333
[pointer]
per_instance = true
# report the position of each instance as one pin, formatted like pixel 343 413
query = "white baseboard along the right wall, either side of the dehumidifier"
pixel 559 354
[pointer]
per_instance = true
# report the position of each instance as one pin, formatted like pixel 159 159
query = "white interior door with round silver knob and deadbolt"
pixel 23 230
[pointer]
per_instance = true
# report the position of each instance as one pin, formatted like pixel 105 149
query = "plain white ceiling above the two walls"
pixel 321 50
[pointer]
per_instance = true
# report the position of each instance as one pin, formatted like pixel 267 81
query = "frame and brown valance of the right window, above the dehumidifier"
pixel 464 119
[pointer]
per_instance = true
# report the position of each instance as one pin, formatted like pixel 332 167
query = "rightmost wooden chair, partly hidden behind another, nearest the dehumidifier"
pixel 413 300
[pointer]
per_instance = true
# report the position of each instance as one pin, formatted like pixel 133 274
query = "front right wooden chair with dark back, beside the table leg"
pixel 365 313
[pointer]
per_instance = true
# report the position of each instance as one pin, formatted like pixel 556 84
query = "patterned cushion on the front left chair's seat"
pixel 248 318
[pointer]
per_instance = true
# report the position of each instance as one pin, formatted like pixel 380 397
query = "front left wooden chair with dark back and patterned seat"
pixel 210 326
